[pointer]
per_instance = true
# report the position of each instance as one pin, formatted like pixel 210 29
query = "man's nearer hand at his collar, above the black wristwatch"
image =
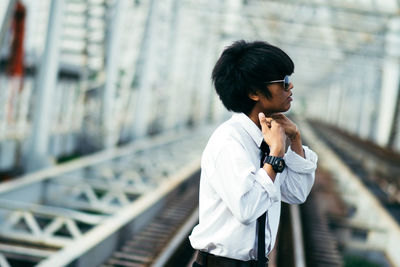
pixel 274 135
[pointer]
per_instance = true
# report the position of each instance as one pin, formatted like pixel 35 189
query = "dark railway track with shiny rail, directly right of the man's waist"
pixel 305 237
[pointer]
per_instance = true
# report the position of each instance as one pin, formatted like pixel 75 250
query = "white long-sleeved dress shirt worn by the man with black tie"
pixel 235 191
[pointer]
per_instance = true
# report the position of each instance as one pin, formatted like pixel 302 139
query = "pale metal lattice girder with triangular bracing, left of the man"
pixel 74 201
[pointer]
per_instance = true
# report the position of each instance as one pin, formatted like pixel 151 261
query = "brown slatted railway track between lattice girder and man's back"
pixel 153 244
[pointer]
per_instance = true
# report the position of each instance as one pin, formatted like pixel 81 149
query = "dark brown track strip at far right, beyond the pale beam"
pixel 377 168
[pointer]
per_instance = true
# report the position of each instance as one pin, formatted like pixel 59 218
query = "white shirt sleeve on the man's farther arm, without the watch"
pixel 298 177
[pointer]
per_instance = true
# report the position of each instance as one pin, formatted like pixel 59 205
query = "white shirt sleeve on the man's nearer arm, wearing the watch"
pixel 247 191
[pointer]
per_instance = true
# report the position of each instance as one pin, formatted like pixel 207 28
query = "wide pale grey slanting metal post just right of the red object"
pixel 37 155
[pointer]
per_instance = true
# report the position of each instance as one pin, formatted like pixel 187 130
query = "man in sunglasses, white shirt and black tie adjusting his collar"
pixel 237 190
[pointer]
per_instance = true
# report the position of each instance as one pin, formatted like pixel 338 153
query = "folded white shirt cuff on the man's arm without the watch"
pixel 299 164
